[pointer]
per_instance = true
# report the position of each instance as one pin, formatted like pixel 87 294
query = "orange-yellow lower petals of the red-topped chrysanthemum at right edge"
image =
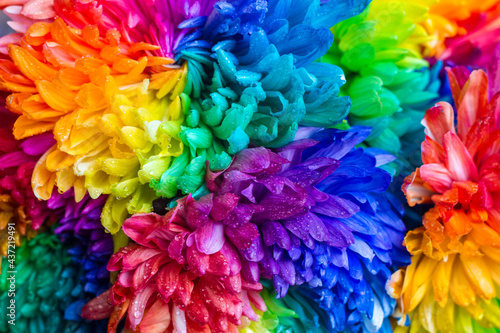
pixel 449 282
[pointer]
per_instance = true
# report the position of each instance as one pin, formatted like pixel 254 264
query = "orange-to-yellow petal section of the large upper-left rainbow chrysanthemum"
pixel 114 110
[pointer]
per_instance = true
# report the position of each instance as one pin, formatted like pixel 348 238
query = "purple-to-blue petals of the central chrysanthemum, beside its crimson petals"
pixel 313 214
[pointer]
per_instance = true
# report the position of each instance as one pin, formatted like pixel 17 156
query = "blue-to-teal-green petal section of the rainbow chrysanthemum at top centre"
pixel 251 81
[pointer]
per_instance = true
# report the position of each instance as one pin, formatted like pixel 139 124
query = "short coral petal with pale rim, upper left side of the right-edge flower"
pixel 438 121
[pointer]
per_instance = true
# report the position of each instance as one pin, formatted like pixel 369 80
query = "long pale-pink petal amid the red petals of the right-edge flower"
pixel 460 164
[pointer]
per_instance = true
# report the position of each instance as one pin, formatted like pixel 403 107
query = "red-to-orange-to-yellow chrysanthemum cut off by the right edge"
pixel 454 272
